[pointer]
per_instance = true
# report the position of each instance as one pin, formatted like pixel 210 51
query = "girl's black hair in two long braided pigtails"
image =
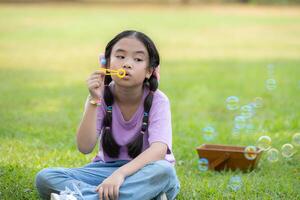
pixel 109 144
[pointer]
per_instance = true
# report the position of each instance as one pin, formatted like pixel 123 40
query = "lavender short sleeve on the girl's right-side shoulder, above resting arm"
pixel 160 128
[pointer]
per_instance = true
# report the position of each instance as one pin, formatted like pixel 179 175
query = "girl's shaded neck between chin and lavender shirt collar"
pixel 128 96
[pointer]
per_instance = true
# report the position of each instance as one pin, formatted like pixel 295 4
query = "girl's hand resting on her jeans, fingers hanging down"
pixel 109 188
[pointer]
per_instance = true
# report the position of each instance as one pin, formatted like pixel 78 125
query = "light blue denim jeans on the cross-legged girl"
pixel 147 183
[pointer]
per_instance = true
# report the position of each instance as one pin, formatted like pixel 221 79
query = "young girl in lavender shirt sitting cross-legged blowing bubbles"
pixel 132 118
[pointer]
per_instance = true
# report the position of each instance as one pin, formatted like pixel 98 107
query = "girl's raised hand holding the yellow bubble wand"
pixel 95 83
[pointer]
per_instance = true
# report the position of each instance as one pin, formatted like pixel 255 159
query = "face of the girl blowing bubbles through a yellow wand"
pixel 131 55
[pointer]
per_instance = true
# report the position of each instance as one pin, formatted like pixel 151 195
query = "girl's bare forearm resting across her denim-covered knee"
pixel 156 151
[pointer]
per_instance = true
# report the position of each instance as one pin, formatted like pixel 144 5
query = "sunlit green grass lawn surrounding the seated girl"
pixel 208 54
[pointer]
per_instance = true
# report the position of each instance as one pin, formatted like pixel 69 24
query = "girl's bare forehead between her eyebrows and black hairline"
pixel 130 45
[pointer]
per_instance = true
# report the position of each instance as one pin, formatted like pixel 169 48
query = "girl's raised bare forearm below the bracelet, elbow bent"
pixel 86 133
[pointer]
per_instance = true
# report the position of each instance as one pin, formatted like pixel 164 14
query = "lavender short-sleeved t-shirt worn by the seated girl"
pixel 159 128
